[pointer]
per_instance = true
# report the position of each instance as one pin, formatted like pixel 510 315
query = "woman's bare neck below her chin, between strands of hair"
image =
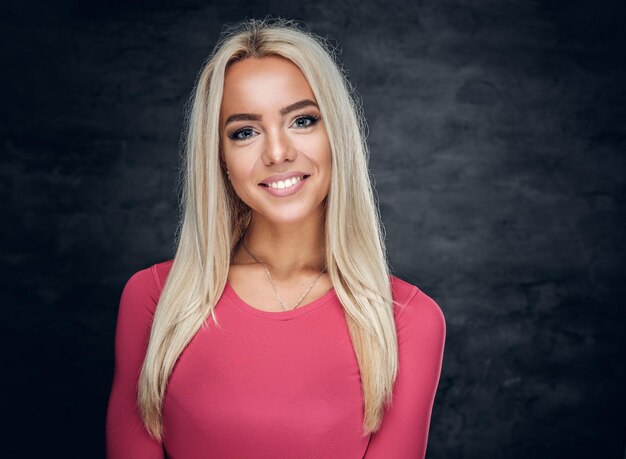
pixel 286 249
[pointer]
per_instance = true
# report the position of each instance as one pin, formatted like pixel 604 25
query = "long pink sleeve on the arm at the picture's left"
pixel 126 436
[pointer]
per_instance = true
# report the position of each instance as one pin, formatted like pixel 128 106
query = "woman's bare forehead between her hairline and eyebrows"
pixel 265 84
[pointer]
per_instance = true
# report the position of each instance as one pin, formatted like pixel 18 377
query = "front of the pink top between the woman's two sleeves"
pixel 255 384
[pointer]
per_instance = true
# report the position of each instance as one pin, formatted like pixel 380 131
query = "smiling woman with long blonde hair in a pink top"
pixel 277 330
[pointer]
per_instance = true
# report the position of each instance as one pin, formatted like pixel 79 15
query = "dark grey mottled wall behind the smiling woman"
pixel 497 131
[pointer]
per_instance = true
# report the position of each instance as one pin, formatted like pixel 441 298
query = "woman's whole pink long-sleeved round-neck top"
pixel 273 384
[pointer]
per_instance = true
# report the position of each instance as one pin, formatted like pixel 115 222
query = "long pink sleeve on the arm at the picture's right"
pixel 421 330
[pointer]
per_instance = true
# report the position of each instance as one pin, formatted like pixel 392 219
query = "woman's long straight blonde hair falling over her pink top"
pixel 213 219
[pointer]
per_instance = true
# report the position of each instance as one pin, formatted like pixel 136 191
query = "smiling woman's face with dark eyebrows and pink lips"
pixel 270 125
